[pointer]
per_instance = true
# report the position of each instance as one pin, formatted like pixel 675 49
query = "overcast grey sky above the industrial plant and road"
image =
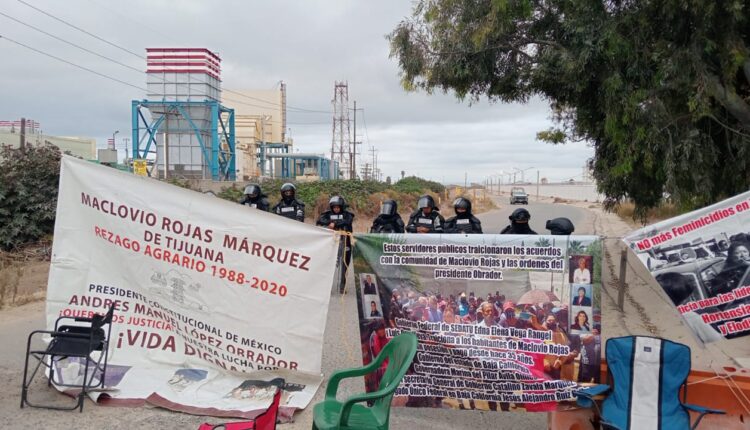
pixel 307 44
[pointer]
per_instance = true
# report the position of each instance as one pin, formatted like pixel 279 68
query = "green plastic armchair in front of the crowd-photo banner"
pixel 331 414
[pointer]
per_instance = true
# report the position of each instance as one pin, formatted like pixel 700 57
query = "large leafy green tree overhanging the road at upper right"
pixel 664 100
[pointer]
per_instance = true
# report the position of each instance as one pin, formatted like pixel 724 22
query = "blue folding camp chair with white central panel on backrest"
pixel 645 376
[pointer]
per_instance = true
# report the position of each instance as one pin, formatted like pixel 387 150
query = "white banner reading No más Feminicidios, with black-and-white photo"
pixel 702 261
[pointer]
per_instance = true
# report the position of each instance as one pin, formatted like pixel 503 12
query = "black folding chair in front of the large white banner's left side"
pixel 74 341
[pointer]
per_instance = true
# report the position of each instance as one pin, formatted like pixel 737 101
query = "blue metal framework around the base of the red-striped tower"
pixel 221 162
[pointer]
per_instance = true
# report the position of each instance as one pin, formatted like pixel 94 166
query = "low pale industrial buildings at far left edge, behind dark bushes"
pixel 10 134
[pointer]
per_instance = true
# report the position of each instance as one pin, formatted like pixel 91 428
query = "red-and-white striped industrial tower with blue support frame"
pixel 182 125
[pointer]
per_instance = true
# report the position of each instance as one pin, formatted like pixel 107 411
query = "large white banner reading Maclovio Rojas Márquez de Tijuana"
pixel 215 302
